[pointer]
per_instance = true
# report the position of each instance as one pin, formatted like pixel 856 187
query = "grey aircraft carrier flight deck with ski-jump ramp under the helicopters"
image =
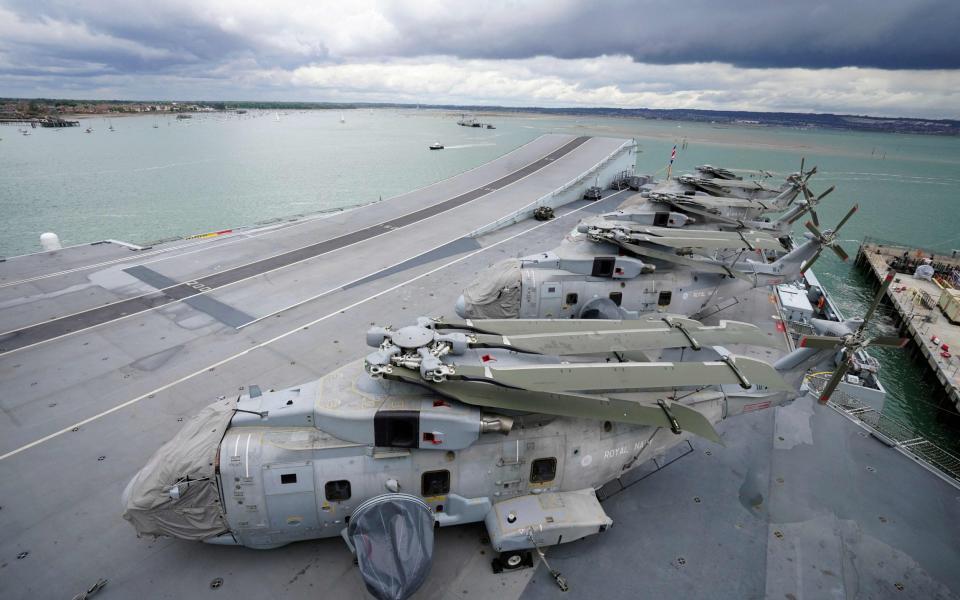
pixel 106 348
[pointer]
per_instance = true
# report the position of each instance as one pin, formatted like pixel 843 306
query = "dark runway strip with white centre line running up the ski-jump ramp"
pixel 38 333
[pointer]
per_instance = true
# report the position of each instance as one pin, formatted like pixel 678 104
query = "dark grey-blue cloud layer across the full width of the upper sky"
pixel 886 34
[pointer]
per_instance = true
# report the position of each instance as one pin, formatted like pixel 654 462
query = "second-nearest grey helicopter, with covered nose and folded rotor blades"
pixel 620 269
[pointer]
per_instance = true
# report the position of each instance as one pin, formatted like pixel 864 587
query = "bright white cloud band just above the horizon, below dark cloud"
pixel 619 82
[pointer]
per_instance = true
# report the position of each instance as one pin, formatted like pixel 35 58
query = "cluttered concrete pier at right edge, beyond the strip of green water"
pixel 936 340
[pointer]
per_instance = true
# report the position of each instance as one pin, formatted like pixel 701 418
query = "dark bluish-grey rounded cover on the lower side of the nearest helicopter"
pixel 392 535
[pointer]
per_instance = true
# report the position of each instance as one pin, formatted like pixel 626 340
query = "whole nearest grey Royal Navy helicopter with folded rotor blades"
pixel 513 423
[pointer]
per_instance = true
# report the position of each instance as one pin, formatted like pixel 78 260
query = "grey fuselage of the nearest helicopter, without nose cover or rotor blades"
pixel 284 484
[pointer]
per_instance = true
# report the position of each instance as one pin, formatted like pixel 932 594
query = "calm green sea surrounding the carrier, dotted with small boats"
pixel 157 177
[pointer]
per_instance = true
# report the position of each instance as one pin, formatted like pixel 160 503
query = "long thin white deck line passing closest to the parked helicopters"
pixel 276 338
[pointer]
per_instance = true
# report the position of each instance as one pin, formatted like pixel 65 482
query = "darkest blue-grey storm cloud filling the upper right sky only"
pixel 886 34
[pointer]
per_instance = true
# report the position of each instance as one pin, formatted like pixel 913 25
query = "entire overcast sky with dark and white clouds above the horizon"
pixel 879 57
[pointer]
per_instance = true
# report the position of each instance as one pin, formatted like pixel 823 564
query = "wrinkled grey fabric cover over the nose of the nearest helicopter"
pixel 189 456
